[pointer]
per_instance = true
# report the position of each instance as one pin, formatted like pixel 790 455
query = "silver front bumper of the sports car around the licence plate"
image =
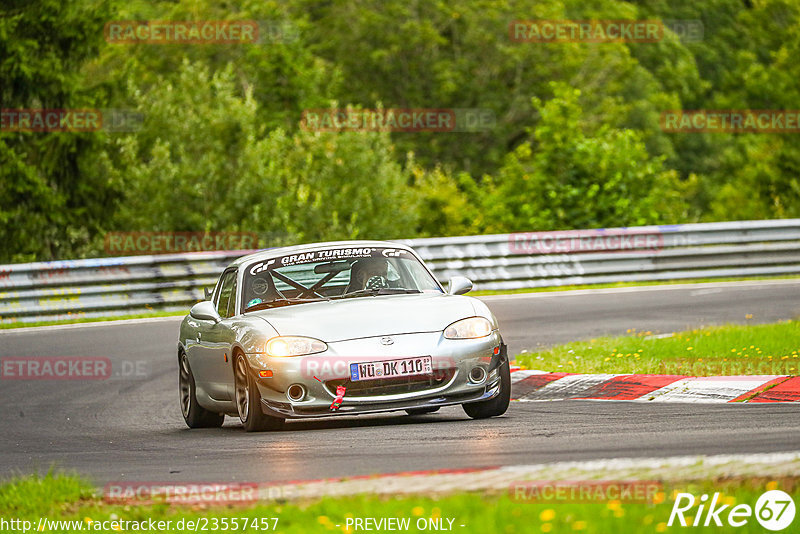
pixel 453 360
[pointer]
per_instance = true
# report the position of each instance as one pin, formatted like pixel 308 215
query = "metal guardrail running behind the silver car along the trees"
pixel 171 282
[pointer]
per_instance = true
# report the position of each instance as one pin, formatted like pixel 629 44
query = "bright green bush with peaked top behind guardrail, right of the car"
pixel 576 178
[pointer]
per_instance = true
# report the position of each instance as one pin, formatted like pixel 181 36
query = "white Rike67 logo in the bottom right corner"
pixel 774 510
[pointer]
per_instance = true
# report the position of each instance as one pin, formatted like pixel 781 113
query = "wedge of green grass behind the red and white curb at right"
pixel 723 350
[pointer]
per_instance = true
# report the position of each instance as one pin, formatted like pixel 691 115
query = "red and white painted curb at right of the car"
pixel 543 386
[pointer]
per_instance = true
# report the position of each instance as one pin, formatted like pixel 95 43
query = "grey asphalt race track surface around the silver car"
pixel 130 428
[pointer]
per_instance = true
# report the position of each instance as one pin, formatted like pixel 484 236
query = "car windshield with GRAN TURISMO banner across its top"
pixel 335 273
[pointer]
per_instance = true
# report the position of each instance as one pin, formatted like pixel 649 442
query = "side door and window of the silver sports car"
pixel 214 340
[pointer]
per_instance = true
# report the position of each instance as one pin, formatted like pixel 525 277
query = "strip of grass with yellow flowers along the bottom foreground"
pixel 59 497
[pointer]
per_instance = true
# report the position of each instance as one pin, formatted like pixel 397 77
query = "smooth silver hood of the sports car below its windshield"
pixel 384 315
